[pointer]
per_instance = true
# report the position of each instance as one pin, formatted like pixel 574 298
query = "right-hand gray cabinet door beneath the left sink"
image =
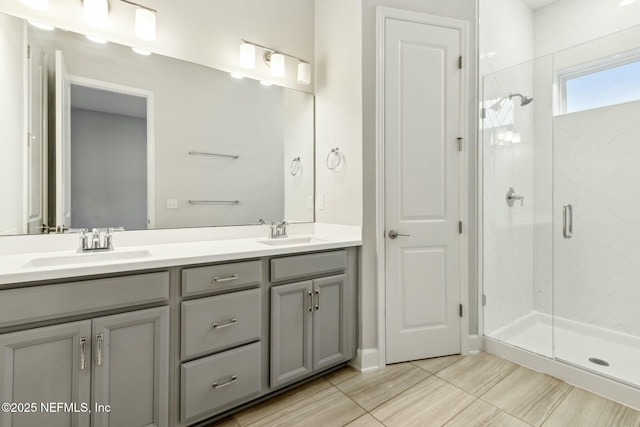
pixel 131 369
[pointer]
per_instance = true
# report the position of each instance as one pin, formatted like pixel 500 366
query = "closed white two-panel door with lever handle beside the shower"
pixel 422 190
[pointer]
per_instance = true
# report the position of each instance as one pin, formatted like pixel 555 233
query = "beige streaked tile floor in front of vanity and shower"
pixel 478 390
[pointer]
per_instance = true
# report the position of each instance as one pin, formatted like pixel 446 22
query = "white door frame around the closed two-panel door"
pixel 382 14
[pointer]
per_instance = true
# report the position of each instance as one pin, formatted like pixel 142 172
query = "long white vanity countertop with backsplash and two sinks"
pixel 166 251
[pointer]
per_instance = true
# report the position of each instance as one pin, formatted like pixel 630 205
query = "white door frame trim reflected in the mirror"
pixel 151 137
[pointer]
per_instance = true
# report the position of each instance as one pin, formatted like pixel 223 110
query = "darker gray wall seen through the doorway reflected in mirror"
pixel 108 170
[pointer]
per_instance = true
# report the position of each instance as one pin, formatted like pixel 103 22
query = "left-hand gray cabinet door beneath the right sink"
pixel 291 310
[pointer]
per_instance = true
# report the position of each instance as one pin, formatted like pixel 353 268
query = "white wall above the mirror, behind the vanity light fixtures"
pixel 201 31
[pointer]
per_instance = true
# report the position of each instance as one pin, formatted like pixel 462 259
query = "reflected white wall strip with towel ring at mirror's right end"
pixel 298 142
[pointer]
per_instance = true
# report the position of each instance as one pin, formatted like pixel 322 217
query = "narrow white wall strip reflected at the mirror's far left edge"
pixel 12 131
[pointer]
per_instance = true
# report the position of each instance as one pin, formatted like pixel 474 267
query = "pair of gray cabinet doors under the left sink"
pixel 120 360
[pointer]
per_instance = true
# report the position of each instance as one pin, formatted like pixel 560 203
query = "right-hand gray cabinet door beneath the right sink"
pixel 330 324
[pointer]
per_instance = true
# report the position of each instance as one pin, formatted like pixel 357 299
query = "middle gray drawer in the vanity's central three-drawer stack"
pixel 237 318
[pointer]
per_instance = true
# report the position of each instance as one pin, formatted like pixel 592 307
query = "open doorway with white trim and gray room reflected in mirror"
pixel 104 154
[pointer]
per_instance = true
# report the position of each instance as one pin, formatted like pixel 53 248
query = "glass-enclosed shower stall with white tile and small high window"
pixel 561 207
